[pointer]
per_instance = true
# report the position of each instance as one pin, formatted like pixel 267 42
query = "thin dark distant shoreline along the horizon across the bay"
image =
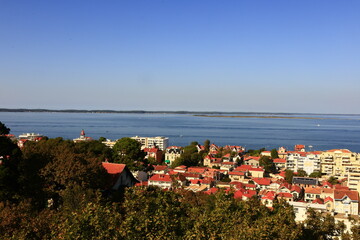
pixel 195 113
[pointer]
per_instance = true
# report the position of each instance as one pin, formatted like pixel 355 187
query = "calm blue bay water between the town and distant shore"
pixel 336 131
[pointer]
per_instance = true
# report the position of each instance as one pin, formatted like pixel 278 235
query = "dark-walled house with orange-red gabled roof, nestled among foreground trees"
pixel 120 176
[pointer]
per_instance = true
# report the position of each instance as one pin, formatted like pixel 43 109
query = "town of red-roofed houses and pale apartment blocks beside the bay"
pixel 229 169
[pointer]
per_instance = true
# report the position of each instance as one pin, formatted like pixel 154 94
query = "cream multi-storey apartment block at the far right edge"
pixel 339 162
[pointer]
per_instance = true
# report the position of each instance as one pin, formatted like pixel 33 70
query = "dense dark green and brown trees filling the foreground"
pixel 57 189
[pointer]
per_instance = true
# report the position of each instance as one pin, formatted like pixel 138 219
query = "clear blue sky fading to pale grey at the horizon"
pixel 270 56
